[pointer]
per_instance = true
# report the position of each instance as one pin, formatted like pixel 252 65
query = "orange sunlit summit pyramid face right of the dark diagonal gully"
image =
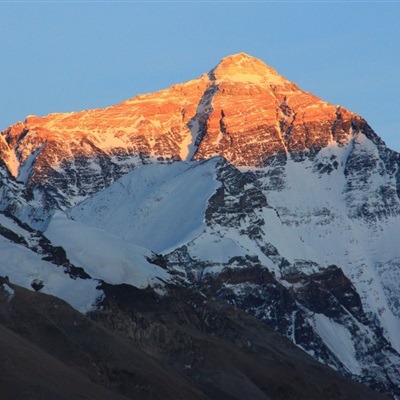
pixel 258 114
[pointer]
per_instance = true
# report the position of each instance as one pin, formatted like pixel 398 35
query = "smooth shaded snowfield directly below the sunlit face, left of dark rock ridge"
pixel 156 206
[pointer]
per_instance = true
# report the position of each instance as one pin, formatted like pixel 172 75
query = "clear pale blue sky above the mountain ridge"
pixel 59 56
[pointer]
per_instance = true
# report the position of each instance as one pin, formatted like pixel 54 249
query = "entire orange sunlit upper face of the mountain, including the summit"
pixel 242 110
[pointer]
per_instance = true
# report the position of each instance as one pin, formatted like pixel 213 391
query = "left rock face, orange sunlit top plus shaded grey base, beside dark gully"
pixel 73 155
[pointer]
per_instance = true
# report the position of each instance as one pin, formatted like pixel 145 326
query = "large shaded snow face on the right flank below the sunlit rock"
pixel 314 208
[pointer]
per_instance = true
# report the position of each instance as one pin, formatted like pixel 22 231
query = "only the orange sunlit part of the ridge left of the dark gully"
pixel 152 125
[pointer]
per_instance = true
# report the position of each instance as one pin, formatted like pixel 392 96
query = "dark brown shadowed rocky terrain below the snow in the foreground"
pixel 147 347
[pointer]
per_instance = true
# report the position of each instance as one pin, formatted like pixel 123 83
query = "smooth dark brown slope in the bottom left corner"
pixel 59 353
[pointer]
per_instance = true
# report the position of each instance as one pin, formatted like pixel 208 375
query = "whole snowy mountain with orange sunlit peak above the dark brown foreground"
pixel 238 188
